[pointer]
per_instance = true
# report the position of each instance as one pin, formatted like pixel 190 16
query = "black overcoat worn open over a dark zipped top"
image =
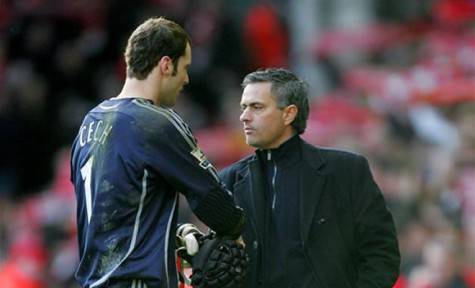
pixel 348 234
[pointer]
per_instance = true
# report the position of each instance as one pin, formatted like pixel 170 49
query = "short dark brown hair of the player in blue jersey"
pixel 153 39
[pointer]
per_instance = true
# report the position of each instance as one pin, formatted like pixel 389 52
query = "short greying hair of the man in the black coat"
pixel 287 88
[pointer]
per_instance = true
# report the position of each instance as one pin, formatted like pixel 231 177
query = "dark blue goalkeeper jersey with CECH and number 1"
pixel 128 161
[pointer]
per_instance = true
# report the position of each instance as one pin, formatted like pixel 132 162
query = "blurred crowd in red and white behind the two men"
pixel 400 91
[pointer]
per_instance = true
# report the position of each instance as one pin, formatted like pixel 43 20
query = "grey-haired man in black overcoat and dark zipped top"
pixel 316 216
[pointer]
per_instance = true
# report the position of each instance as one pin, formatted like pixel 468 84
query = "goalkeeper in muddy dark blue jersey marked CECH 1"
pixel 132 155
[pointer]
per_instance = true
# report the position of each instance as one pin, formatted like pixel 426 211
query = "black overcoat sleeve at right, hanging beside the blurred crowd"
pixel 378 257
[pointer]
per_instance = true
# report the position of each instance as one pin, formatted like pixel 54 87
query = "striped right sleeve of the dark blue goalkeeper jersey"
pixel 170 149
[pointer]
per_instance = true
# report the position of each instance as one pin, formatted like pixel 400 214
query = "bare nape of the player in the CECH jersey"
pixel 135 88
